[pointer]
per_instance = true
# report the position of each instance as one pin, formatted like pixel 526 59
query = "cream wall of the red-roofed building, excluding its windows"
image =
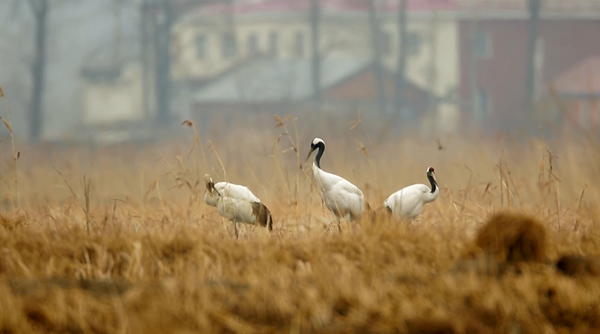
pixel 346 35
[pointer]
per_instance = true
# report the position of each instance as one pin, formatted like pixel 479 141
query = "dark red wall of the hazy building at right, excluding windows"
pixel 564 43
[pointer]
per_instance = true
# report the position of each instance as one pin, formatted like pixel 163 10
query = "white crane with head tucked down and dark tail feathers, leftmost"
pixel 241 207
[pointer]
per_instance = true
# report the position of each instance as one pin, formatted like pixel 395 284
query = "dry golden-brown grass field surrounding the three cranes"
pixel 134 249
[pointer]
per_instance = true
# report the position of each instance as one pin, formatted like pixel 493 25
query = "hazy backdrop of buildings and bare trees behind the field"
pixel 119 70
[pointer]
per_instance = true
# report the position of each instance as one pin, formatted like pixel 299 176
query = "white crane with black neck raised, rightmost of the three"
pixel 408 202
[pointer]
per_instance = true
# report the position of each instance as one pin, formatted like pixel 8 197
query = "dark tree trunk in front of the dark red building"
pixel 534 7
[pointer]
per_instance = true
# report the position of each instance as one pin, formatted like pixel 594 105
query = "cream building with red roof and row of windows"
pixel 217 37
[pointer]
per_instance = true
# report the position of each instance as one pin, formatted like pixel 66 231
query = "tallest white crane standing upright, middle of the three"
pixel 341 197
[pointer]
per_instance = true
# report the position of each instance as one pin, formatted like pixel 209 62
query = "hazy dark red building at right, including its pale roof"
pixel 493 53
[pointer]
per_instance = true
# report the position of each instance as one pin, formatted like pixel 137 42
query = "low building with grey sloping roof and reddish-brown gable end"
pixel 268 86
